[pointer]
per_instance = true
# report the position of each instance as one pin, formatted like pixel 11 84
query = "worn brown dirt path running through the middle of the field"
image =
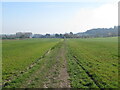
pixel 58 76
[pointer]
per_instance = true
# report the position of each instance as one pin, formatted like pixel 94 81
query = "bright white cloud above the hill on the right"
pixel 104 16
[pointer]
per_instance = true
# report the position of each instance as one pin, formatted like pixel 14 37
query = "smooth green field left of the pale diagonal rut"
pixel 17 55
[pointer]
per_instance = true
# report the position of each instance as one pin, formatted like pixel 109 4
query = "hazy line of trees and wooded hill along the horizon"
pixel 98 32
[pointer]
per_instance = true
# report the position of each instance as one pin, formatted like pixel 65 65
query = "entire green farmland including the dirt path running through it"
pixel 58 63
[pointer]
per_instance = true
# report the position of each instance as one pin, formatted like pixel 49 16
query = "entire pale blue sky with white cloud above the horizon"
pixel 60 16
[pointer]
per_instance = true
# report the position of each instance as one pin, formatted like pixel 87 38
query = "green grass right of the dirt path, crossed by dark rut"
pixel 98 57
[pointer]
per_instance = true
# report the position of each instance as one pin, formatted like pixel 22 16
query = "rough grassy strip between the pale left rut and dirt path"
pixel 37 75
